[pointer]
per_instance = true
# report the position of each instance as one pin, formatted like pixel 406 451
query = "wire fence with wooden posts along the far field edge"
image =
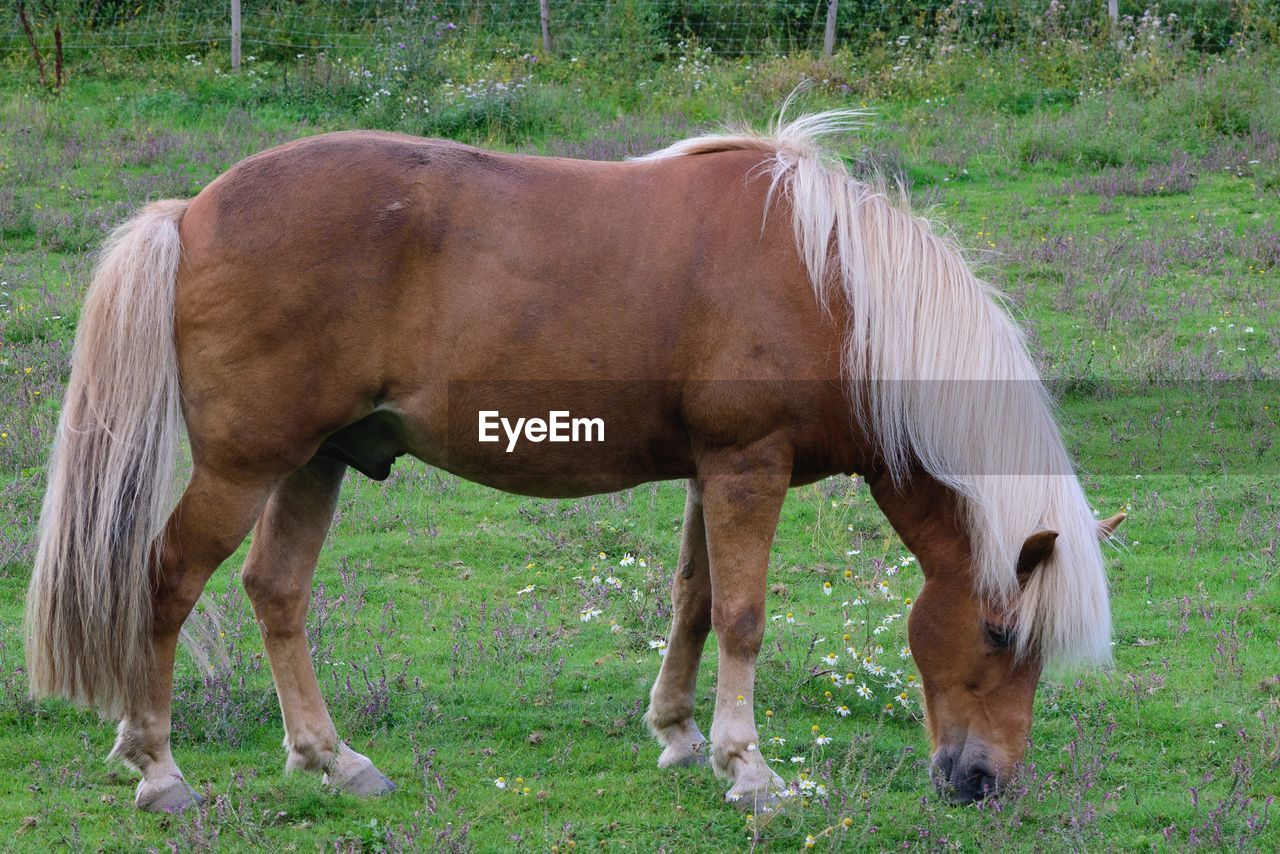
pixel 275 29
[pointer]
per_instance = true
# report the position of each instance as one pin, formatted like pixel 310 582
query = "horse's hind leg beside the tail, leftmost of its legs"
pixel 211 522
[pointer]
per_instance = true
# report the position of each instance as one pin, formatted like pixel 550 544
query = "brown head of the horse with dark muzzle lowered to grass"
pixel 979 691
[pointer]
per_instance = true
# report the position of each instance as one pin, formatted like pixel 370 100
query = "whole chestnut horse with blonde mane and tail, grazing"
pixel 737 310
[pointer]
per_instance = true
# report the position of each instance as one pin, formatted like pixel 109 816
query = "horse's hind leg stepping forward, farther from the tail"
pixel 278 581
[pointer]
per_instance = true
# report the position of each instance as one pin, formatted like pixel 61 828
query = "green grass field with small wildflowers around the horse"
pixel 467 637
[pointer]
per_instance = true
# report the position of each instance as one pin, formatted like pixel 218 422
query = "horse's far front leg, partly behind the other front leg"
pixel 671 704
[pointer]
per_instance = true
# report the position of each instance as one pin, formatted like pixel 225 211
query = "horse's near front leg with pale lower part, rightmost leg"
pixel 742 514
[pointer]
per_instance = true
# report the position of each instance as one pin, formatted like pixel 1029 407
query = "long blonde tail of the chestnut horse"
pixel 89 608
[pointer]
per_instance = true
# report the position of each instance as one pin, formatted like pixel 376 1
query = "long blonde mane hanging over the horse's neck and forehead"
pixel 950 382
